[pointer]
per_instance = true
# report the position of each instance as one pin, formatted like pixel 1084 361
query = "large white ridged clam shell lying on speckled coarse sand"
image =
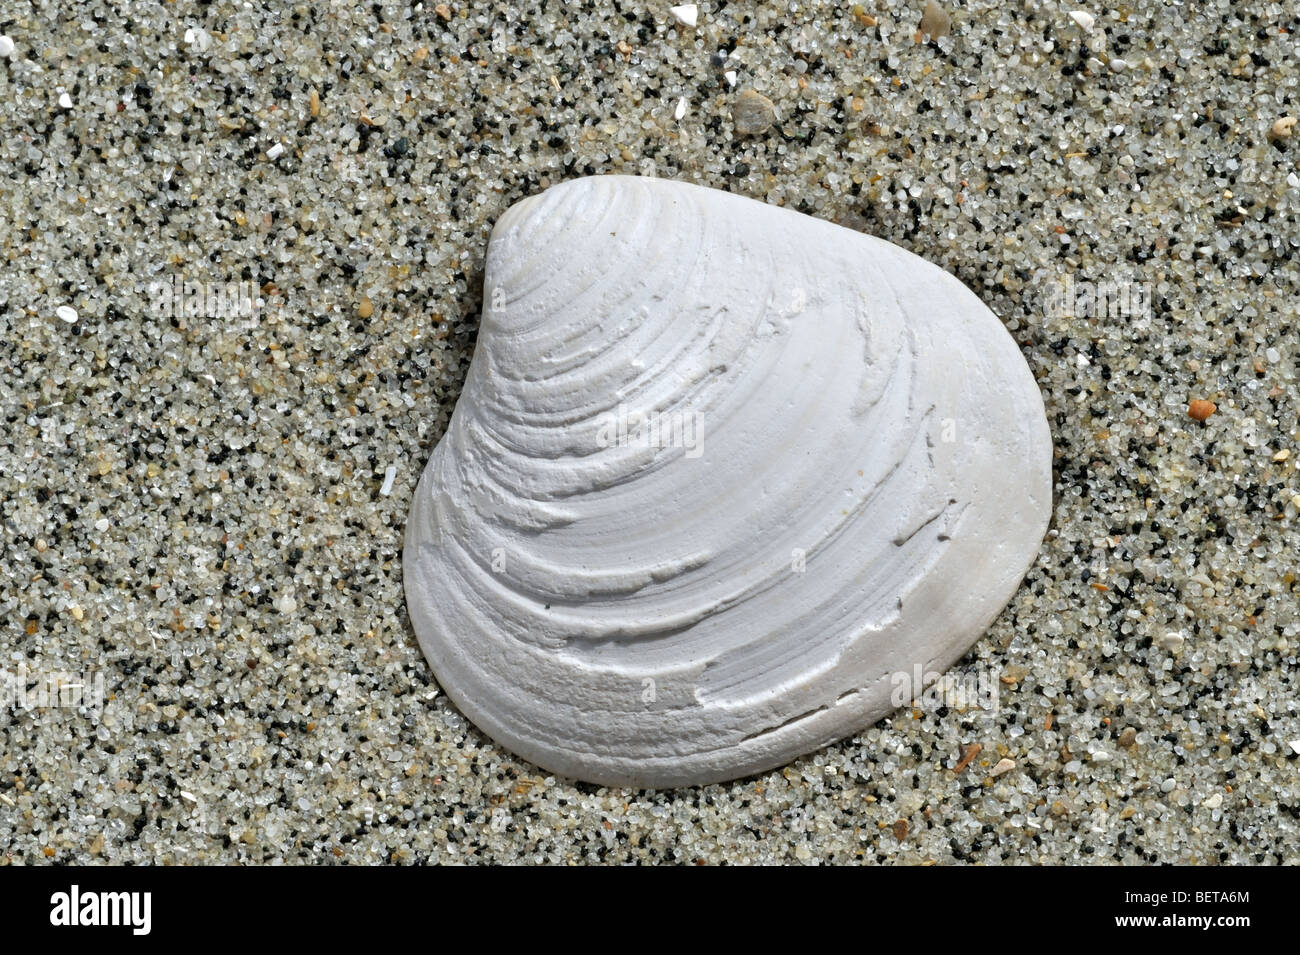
pixel 722 476
